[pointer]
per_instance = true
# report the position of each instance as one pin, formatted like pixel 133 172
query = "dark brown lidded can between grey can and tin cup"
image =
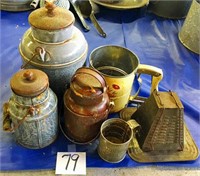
pixel 86 105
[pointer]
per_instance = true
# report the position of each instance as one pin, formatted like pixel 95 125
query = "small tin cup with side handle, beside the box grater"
pixel 115 137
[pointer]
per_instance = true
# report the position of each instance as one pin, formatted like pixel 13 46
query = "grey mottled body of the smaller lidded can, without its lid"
pixel 40 128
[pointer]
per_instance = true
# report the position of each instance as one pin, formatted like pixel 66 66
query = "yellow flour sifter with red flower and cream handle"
pixel 119 66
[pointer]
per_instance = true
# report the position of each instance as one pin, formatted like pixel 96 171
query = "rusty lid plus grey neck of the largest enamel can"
pixel 51 24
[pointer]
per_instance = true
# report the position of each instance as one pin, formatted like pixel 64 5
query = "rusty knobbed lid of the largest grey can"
pixel 51 17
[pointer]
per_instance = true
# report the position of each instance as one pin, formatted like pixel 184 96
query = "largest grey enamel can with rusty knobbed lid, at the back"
pixel 54 45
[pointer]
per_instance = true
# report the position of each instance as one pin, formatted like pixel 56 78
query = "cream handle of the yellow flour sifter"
pixel 155 72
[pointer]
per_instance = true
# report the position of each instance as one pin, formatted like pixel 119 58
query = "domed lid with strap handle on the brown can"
pixel 88 83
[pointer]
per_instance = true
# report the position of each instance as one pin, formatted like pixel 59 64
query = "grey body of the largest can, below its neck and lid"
pixel 58 60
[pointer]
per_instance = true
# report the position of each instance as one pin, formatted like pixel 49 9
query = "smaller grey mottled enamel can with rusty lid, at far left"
pixel 31 112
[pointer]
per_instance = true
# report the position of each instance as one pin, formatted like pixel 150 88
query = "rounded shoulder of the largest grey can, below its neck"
pixel 53 55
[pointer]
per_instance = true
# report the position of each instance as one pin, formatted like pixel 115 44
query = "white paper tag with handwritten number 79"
pixel 71 163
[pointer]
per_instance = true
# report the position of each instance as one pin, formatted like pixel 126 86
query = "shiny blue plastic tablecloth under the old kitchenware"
pixel 154 40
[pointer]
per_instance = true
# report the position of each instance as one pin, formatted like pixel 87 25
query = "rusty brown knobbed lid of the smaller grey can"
pixel 29 82
